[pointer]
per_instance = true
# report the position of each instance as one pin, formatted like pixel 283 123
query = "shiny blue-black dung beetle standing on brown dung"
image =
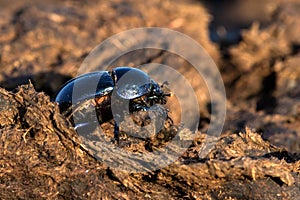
pixel 130 86
